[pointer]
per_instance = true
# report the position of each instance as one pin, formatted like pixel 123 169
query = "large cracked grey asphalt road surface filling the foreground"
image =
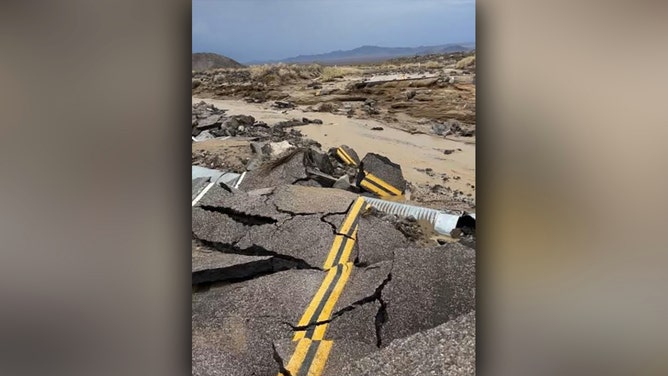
pixel 262 257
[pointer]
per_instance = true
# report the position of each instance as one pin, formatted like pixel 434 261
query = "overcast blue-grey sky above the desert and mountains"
pixel 247 30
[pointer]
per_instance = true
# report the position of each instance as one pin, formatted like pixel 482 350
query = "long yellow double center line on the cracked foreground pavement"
pixel 312 349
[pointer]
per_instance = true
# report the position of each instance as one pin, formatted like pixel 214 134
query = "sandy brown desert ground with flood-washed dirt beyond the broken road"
pixel 417 111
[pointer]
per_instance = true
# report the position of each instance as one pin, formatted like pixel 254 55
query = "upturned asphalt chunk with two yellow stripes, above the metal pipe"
pixel 380 176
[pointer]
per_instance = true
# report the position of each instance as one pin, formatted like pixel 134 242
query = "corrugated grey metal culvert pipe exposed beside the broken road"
pixel 443 222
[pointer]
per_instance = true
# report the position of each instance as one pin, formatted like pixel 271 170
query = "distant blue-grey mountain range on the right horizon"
pixel 372 53
